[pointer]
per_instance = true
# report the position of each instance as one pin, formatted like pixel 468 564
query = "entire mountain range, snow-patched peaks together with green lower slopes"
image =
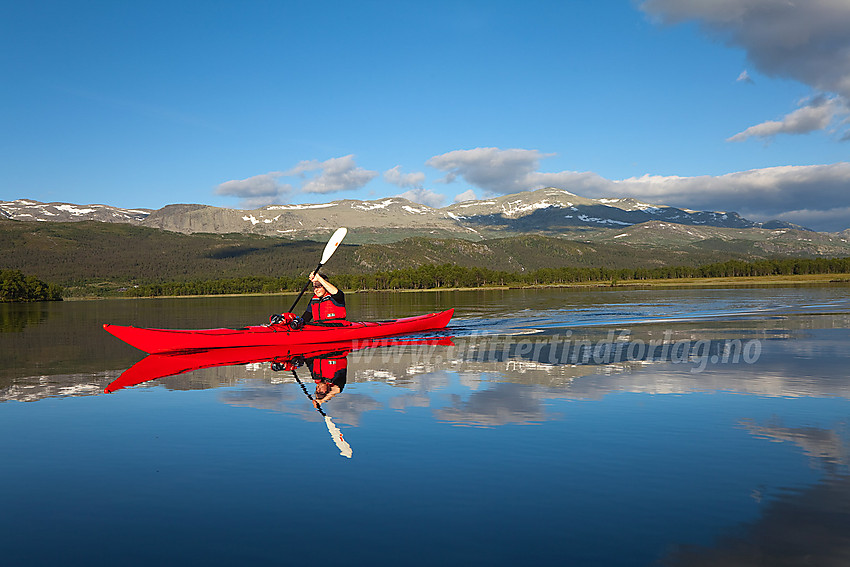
pixel 115 248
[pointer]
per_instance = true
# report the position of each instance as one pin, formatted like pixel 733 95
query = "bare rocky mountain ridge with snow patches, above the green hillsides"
pixel 548 212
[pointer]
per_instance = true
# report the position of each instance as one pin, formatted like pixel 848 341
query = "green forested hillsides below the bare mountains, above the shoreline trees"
pixel 93 257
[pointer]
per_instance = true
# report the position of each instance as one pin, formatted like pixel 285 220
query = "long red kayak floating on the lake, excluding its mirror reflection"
pixel 171 340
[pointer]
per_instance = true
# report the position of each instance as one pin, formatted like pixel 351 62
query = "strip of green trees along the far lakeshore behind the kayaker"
pixel 432 276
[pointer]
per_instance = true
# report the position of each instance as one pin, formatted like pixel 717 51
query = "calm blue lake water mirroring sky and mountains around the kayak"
pixel 599 427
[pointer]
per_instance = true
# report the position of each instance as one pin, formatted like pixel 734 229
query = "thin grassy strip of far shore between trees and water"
pixel 737 281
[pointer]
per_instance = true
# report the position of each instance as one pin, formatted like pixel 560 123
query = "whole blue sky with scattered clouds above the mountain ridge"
pixel 723 105
